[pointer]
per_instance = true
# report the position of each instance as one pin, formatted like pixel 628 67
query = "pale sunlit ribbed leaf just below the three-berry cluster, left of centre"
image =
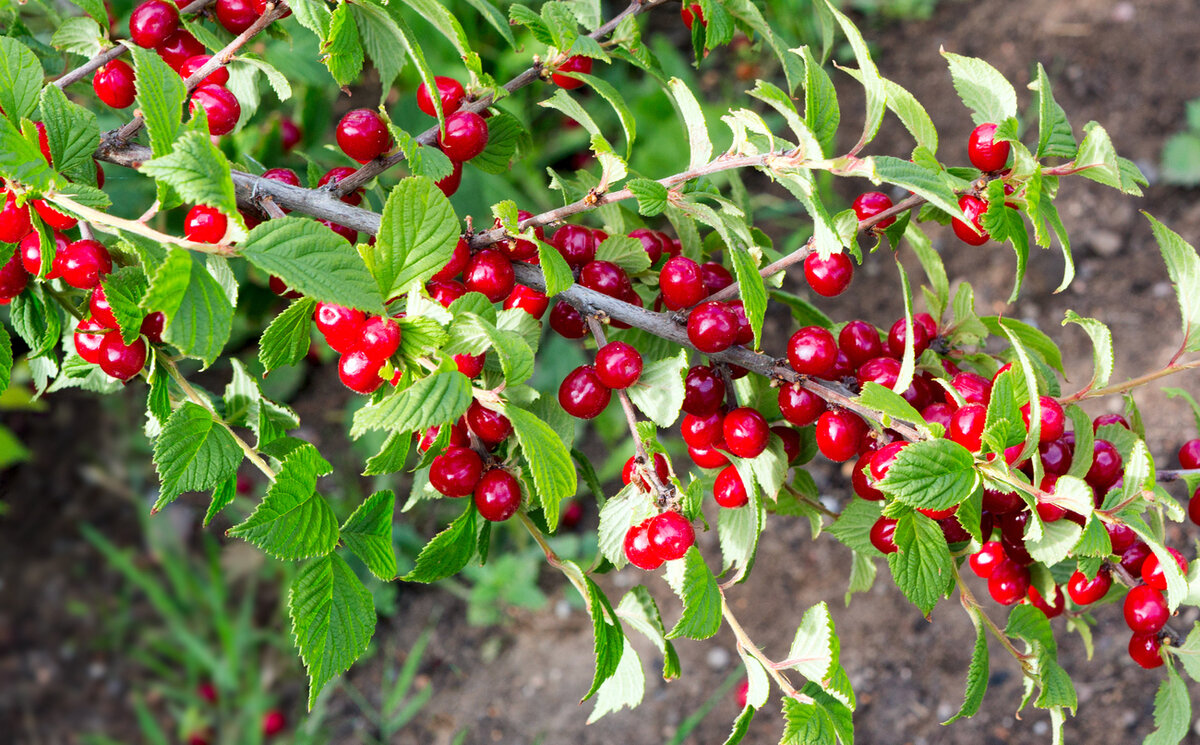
pixel 436 400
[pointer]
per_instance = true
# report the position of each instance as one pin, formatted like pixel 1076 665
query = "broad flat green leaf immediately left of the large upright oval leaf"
pixel 315 261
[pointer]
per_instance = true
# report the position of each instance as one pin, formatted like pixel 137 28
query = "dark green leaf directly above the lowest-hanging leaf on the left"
pixel 293 521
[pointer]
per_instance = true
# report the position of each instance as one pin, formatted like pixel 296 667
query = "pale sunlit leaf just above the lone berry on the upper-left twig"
pixel 197 171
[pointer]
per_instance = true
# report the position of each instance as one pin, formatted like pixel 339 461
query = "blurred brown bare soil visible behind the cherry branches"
pixel 1127 65
